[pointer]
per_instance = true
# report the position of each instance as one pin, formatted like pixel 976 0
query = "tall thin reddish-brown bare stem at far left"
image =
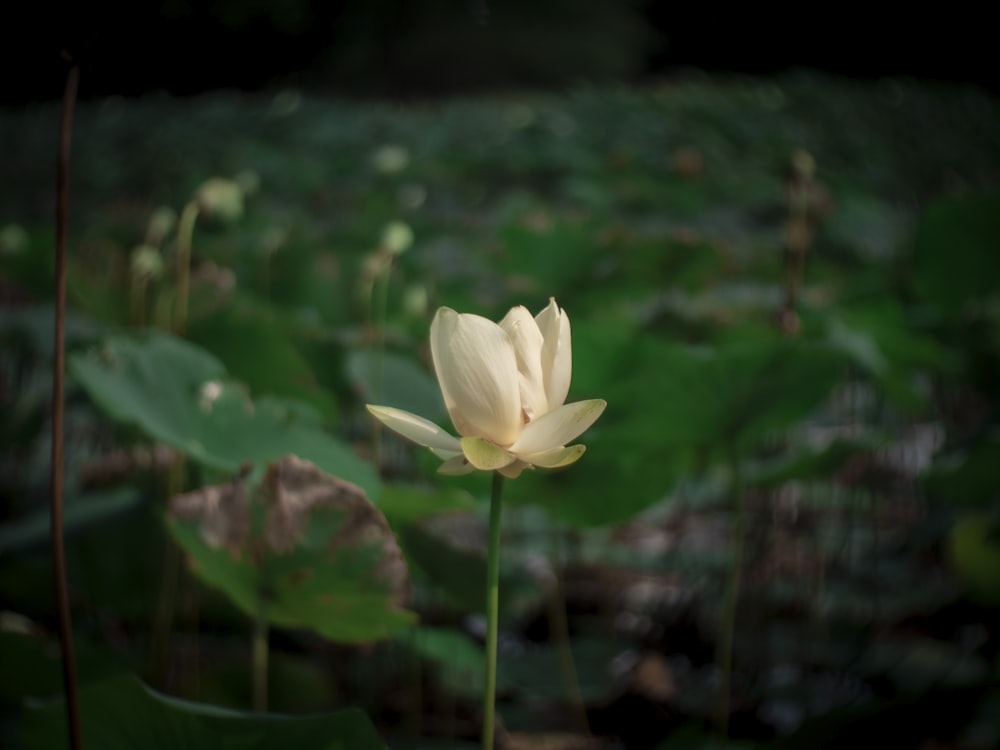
pixel 58 368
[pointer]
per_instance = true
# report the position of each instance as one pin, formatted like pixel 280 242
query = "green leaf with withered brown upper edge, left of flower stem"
pixel 306 549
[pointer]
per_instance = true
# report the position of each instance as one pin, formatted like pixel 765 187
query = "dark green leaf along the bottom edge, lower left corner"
pixel 121 712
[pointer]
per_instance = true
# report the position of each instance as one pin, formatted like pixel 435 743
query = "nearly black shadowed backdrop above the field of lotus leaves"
pixel 437 47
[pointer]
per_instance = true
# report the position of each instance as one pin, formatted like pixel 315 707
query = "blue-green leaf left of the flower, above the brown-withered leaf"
pixel 176 393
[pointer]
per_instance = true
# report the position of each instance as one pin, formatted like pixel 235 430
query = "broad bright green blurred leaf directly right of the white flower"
pixel 669 403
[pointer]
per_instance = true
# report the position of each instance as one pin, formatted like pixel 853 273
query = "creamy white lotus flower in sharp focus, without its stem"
pixel 504 386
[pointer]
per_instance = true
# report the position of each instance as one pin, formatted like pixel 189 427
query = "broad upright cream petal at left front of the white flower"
pixel 477 371
